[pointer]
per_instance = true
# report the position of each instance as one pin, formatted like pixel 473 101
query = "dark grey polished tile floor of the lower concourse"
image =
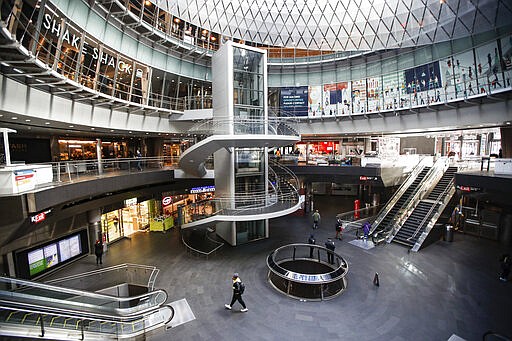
pixel 449 288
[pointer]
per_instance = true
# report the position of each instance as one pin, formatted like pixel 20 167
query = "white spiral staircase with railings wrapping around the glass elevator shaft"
pixel 279 198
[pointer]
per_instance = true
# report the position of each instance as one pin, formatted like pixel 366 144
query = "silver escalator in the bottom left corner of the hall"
pixel 37 310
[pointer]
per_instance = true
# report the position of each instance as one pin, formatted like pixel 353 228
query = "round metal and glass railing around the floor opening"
pixel 307 272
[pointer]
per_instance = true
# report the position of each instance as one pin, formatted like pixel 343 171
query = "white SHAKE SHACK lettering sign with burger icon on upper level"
pixel 74 40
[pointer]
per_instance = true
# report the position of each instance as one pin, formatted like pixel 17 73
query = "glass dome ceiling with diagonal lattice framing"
pixel 344 25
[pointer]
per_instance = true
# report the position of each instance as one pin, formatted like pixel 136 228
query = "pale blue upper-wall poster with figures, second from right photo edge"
pixel 488 67
